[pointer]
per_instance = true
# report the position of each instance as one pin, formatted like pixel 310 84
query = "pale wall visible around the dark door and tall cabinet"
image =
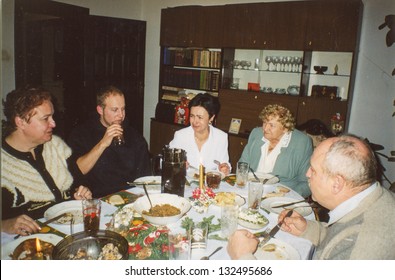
pixel 374 90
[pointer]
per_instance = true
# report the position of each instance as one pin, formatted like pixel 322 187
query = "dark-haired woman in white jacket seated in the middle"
pixel 202 142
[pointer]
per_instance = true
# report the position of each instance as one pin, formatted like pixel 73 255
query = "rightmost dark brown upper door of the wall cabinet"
pixel 332 25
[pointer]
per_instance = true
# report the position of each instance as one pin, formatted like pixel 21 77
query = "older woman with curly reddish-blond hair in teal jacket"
pixel 280 149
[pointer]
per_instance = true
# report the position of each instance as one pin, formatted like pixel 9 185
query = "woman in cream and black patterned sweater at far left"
pixel 35 173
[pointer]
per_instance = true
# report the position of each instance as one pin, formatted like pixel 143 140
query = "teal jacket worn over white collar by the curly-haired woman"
pixel 292 163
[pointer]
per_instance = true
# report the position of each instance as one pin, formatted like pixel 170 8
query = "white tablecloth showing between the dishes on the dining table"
pixel 304 247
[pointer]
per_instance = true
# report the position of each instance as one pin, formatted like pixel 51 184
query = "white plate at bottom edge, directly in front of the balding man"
pixel 283 251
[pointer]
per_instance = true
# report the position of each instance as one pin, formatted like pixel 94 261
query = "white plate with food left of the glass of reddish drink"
pixel 73 207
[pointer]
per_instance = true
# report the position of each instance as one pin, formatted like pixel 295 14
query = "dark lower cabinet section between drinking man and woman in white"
pixel 161 134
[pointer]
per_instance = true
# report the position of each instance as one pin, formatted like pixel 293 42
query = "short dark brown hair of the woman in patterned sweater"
pixel 21 103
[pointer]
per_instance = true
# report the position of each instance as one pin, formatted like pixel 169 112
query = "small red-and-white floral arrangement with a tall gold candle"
pixel 202 196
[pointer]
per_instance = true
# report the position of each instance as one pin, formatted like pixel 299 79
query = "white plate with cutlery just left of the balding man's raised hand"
pixel 268 204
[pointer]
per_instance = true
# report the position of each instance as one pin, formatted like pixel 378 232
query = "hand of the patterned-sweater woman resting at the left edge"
pixel 22 225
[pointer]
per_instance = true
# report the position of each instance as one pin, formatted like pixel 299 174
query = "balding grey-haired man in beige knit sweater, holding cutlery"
pixel 342 178
